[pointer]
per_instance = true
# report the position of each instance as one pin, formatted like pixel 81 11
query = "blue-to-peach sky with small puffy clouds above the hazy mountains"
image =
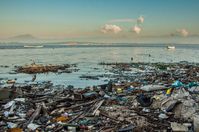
pixel 101 20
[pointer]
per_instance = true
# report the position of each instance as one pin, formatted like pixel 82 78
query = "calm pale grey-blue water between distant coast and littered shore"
pixel 87 58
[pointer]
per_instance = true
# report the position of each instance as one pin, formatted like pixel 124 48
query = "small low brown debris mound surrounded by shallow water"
pixel 39 68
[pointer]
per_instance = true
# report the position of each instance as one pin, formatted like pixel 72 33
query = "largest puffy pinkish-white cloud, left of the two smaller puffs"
pixel 111 29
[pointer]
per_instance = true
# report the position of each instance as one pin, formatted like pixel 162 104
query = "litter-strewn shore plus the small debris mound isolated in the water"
pixel 137 97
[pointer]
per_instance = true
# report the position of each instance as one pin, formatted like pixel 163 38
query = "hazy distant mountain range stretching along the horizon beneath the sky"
pixel 30 39
